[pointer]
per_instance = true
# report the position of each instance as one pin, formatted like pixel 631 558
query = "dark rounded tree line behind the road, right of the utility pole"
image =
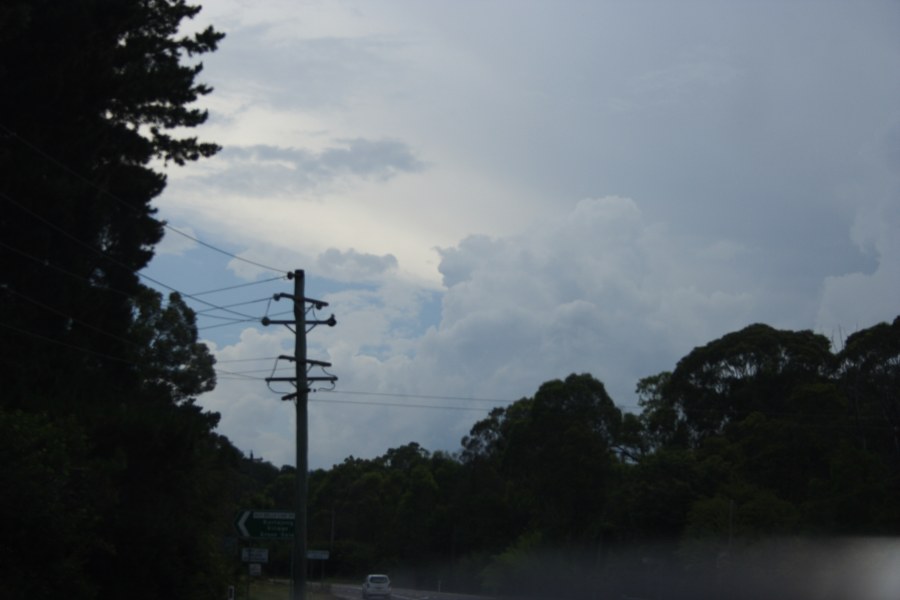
pixel 758 436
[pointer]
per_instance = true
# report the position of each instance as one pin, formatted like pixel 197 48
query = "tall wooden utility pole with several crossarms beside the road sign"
pixel 301 380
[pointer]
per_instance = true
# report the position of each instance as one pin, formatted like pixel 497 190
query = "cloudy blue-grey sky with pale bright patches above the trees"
pixel 490 195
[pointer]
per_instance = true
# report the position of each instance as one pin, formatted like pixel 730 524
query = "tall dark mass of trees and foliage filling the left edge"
pixel 112 478
